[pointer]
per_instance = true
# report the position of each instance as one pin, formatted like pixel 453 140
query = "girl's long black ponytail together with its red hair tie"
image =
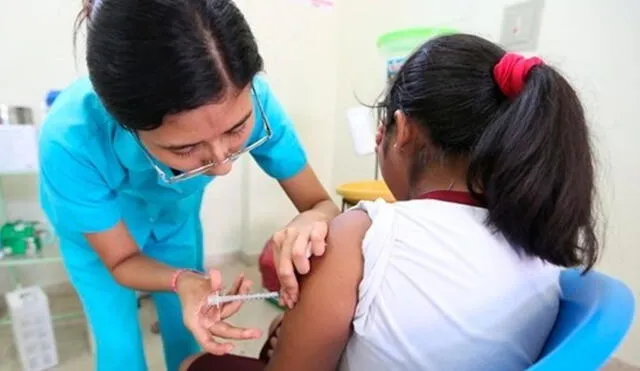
pixel 533 168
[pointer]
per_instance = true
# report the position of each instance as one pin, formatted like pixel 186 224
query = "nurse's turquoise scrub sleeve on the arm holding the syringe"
pixel 74 195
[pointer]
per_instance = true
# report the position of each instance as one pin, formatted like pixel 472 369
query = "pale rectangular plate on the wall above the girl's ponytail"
pixel 521 26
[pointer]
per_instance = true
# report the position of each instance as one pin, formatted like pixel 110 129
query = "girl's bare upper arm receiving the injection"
pixel 314 334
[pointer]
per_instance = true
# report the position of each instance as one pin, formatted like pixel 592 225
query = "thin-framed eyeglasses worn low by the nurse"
pixel 172 179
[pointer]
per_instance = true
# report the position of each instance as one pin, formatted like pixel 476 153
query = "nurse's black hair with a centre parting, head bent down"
pixel 147 59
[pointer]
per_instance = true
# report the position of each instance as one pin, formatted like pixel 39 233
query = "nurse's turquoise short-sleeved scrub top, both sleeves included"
pixel 93 173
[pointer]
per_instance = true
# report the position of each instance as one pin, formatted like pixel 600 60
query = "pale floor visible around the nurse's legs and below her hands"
pixel 73 344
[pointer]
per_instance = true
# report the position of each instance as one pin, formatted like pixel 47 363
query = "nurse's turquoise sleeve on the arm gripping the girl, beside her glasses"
pixel 281 157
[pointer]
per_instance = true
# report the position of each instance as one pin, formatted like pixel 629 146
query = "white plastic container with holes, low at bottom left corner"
pixel 32 328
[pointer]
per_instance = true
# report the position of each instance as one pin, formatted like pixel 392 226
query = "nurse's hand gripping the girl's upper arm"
pixel 292 249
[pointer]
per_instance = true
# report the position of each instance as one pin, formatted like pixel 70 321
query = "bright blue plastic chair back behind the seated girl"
pixel 596 311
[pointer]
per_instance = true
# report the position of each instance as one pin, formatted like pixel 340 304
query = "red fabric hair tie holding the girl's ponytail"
pixel 512 71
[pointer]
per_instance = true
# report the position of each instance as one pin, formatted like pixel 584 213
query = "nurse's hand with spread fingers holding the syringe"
pixel 205 321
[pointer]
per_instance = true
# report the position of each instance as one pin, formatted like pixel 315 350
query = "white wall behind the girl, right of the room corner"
pixel 593 42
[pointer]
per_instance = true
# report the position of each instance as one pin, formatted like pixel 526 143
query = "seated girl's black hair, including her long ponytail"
pixel 530 158
